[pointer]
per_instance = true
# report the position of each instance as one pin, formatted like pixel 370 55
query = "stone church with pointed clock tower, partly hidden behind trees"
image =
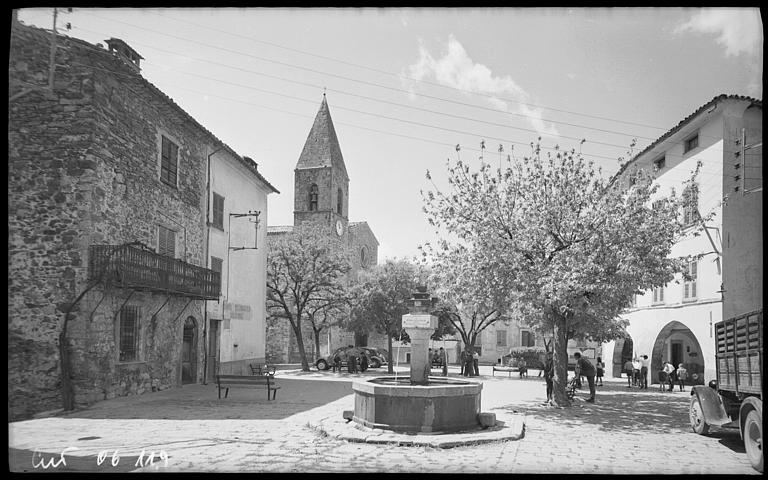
pixel 321 195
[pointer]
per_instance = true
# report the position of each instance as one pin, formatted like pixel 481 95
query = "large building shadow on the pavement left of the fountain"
pixel 201 402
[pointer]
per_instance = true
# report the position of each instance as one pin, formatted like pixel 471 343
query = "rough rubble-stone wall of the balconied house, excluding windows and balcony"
pixel 83 170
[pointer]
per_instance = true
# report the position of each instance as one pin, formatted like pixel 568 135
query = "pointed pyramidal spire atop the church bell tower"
pixel 322 146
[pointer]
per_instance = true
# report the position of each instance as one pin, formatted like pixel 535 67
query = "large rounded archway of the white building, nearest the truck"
pixel 677 344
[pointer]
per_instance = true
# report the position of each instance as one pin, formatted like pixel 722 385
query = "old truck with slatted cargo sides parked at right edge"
pixel 735 397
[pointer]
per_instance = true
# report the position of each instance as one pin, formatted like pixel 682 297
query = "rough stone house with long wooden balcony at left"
pixel 107 212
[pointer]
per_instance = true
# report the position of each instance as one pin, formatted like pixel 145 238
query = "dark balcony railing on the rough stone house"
pixel 129 266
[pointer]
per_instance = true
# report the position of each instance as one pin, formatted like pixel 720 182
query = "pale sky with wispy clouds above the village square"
pixel 405 86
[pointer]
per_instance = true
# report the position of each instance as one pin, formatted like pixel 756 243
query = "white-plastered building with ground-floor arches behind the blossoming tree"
pixel 675 322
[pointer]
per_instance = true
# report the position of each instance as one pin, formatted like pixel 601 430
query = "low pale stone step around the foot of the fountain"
pixel 508 427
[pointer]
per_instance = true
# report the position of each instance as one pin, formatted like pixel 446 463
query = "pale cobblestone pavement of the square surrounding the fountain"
pixel 626 431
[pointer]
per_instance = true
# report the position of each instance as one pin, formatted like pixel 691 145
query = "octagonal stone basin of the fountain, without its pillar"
pixel 445 405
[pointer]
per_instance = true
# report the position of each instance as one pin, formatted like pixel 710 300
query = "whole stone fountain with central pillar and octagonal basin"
pixel 419 403
